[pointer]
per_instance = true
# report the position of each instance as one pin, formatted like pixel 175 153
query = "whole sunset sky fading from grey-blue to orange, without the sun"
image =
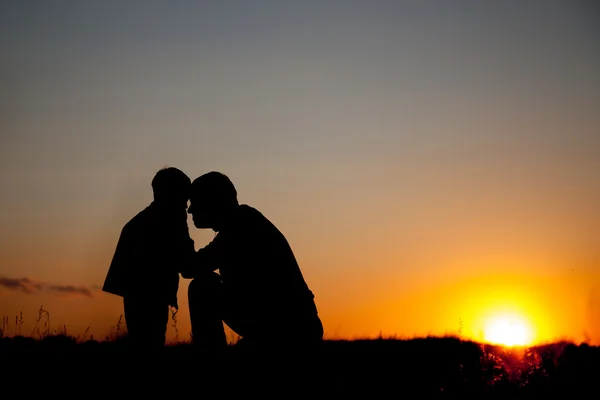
pixel 429 162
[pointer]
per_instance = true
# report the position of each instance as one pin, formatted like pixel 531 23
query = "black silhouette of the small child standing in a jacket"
pixel 148 258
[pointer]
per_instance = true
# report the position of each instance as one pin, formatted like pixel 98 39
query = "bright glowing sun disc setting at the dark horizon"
pixel 508 331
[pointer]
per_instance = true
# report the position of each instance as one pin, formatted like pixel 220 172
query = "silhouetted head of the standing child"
pixel 171 187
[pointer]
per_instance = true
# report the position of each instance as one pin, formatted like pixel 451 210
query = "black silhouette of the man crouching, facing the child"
pixel 260 292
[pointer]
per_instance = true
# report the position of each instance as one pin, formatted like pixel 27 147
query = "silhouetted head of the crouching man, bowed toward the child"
pixel 213 197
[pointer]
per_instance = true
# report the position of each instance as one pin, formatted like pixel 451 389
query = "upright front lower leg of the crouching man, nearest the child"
pixel 205 297
